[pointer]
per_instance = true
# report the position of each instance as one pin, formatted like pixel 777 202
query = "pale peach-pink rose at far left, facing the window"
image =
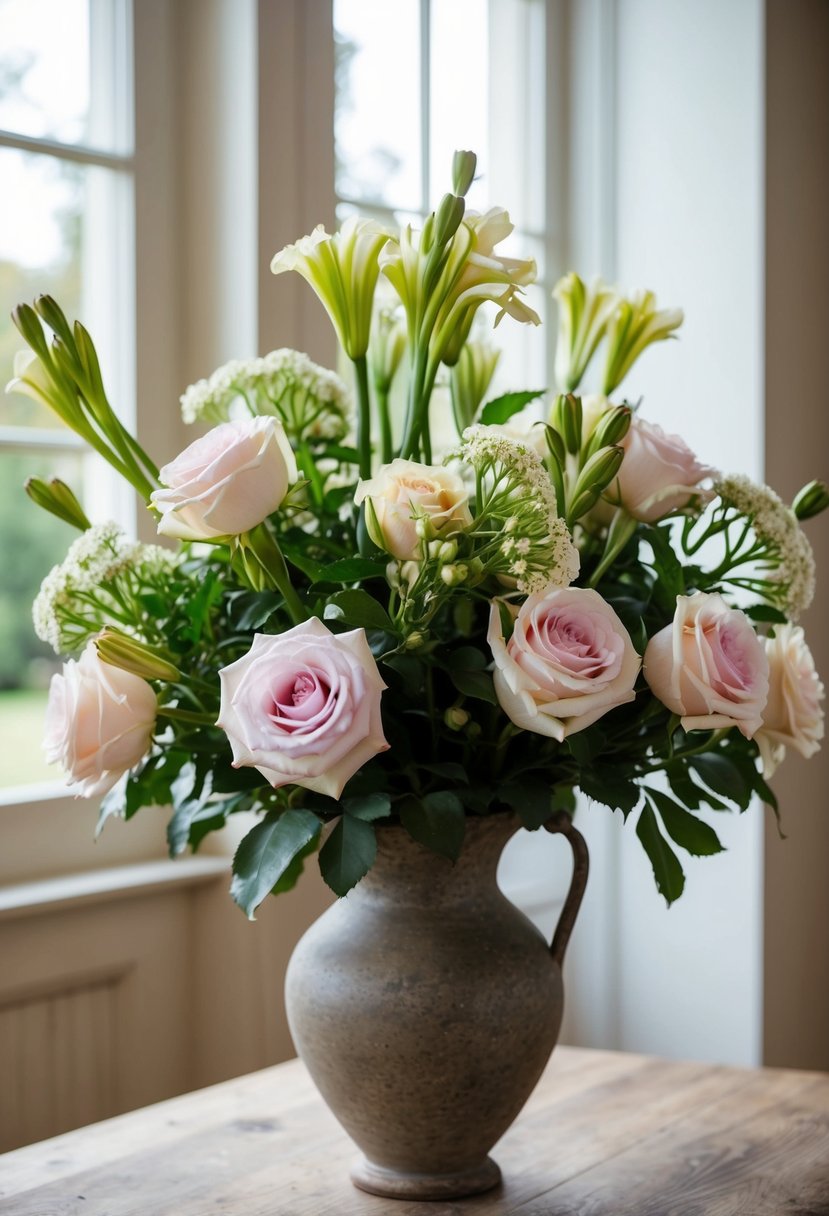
pixel 99 722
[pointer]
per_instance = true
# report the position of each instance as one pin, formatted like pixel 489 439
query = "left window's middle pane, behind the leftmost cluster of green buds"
pixel 59 226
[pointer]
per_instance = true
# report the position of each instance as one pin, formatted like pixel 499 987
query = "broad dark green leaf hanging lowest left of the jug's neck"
pixel 267 852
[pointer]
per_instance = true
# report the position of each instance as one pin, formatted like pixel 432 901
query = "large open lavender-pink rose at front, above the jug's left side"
pixel 304 707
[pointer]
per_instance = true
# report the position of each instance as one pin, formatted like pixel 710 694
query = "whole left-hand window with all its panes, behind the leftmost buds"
pixel 66 228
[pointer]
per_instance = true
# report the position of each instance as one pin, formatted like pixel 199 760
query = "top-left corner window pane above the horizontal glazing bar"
pixel 59 66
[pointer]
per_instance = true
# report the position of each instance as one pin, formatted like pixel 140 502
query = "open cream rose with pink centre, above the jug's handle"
pixel 568 662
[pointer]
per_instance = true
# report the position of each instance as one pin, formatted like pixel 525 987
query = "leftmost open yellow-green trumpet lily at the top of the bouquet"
pixel 342 268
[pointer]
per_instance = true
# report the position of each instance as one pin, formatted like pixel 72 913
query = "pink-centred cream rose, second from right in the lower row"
pixel 709 667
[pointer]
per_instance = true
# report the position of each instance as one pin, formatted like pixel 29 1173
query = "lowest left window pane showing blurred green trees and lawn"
pixel 31 543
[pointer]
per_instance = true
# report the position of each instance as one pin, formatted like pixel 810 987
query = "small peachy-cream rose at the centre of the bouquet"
pixel 404 492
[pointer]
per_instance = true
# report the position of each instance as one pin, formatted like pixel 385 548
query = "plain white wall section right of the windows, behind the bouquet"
pixel 687 183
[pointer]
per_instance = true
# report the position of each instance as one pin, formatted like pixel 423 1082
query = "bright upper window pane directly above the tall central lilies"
pixel 377 117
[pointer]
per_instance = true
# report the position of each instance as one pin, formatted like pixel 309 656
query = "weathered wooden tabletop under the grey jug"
pixel 605 1135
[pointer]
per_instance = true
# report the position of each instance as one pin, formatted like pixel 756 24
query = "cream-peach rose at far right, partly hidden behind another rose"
pixel 793 716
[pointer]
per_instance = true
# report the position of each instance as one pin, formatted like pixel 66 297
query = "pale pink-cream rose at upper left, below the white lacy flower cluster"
pixel 227 482
